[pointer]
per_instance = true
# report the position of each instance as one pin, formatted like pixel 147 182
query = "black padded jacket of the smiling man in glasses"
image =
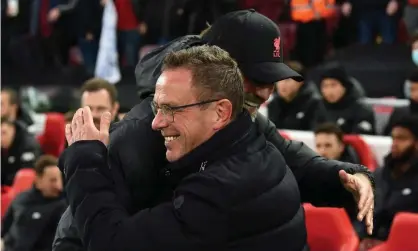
pixel 233 192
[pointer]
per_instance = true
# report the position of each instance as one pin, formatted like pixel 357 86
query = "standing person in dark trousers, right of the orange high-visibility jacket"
pixel 374 15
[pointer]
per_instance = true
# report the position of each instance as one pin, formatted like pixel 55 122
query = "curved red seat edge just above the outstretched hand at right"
pixel 363 150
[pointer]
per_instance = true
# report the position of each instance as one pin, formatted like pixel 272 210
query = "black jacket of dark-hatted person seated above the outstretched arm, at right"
pixel 351 114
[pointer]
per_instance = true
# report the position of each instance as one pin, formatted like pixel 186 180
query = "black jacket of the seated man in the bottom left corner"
pixel 30 221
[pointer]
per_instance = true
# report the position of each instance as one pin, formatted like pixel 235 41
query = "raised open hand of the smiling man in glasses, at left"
pixel 82 127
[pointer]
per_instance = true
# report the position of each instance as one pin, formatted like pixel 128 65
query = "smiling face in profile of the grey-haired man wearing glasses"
pixel 182 129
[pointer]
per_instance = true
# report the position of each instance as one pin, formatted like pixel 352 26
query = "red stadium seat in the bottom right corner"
pixel 403 234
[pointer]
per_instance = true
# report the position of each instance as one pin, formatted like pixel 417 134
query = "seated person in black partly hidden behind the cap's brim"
pixel 296 105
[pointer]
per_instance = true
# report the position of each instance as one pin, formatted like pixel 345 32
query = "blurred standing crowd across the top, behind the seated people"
pixel 42 34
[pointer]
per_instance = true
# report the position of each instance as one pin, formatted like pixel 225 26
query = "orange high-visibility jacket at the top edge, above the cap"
pixel 308 10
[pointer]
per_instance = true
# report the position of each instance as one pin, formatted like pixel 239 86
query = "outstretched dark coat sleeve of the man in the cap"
pixel 317 177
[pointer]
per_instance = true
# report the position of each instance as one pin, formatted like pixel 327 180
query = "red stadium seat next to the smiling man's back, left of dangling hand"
pixel 329 229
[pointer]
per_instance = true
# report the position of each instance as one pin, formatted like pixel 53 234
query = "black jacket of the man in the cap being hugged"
pixel 138 153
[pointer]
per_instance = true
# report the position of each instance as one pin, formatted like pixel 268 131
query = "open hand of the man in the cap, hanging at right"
pixel 361 188
